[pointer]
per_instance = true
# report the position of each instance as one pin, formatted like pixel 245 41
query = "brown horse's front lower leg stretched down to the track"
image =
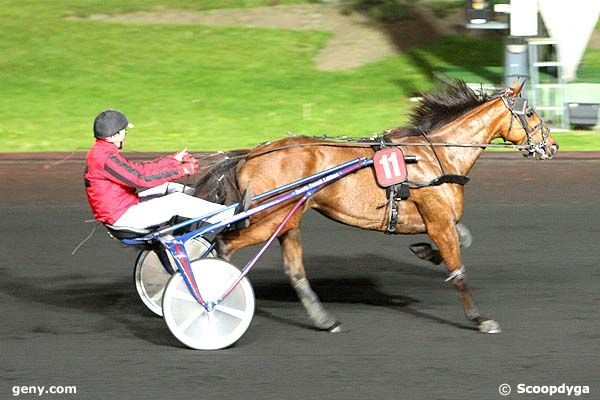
pixel 446 237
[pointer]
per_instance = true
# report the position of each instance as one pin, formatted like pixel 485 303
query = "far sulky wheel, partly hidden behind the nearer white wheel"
pixel 151 277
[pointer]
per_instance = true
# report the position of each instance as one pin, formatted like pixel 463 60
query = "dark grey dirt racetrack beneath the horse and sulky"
pixel 534 267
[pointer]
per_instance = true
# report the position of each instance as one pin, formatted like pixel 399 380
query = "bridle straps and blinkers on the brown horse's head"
pixel 521 110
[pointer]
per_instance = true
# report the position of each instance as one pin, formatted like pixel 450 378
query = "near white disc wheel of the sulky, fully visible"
pixel 198 328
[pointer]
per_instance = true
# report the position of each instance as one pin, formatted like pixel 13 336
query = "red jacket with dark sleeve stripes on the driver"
pixel 111 180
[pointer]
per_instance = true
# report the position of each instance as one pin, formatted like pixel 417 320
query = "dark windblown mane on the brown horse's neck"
pixel 438 108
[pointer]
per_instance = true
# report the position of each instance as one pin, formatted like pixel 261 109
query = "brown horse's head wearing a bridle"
pixel 526 127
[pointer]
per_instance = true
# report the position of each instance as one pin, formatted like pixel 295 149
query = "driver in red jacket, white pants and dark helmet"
pixel 111 181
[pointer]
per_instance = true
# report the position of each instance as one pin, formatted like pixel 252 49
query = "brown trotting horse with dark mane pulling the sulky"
pixel 449 132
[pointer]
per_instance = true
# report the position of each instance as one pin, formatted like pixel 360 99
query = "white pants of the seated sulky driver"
pixel 158 210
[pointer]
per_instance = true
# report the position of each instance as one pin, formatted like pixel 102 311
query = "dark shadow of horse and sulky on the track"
pixel 117 301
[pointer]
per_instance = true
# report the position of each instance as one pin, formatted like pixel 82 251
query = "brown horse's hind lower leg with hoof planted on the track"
pixel 292 260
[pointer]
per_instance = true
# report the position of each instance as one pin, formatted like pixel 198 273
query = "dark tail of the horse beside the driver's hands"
pixel 218 183
